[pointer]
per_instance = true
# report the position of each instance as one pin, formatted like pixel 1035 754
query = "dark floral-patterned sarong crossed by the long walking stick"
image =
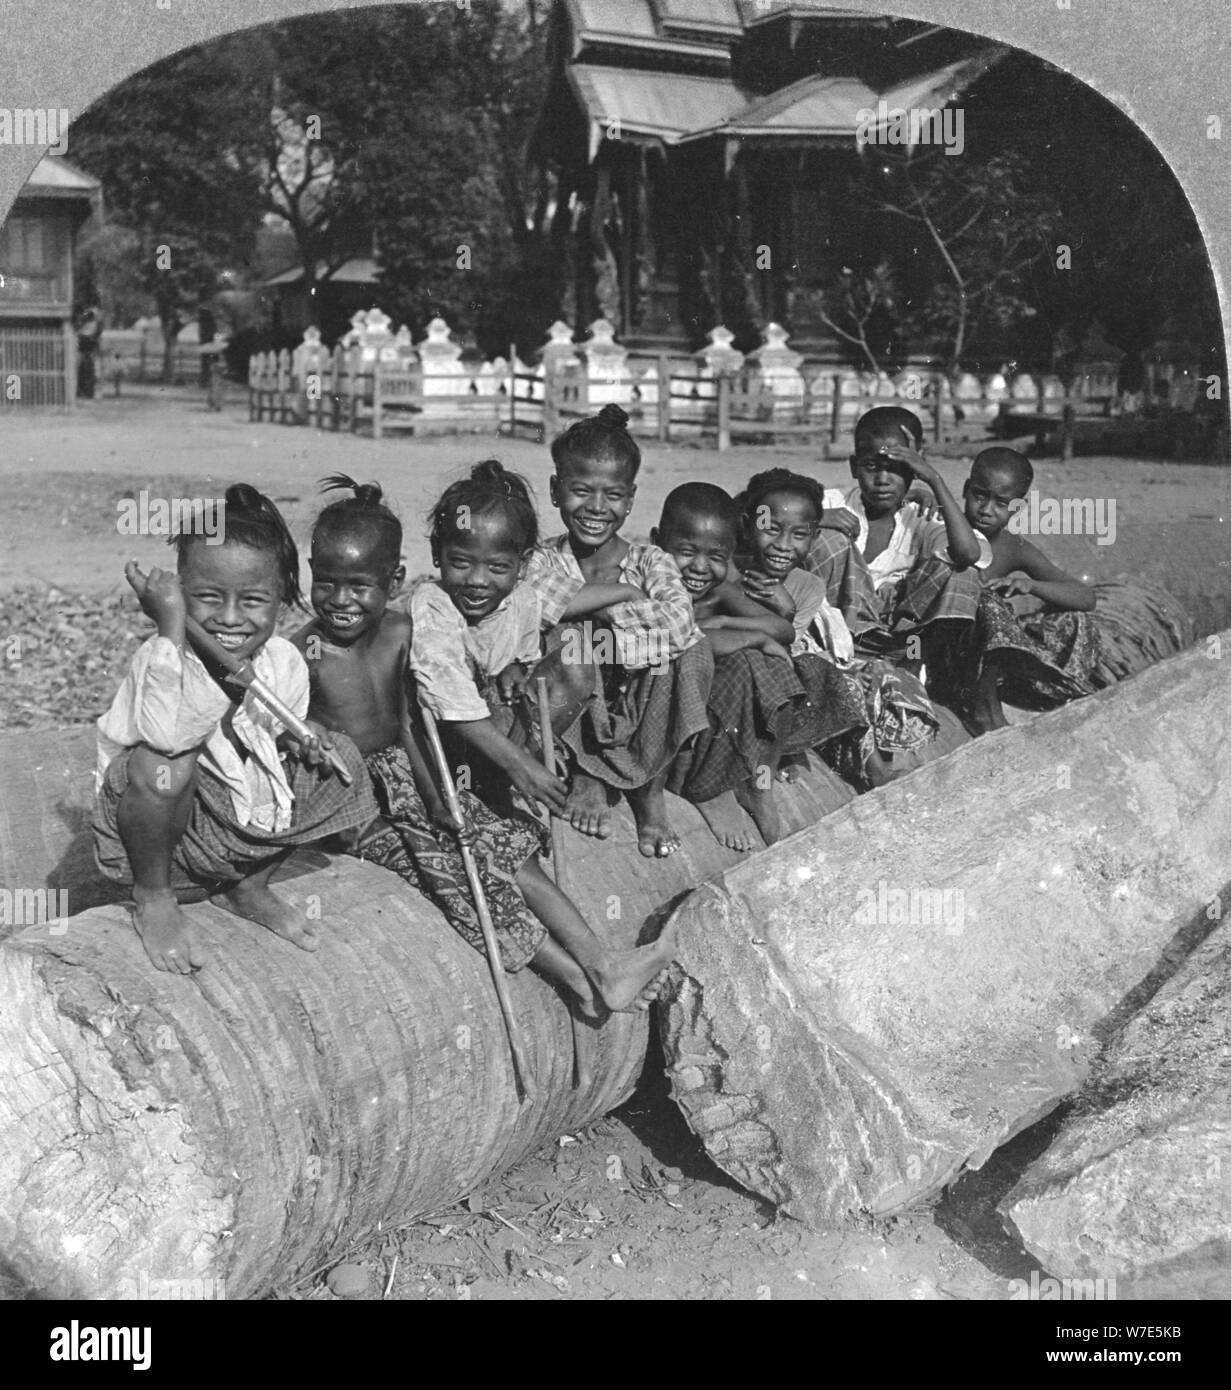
pixel 429 858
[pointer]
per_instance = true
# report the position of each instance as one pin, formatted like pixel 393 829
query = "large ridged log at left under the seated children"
pixel 256 1120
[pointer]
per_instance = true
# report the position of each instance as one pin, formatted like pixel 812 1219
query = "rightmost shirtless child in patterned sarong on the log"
pixel 1036 641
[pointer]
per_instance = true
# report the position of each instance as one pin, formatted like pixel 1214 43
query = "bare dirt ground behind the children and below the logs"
pixel 630 1209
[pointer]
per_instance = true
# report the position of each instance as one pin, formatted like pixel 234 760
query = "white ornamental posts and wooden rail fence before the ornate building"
pixel 381 383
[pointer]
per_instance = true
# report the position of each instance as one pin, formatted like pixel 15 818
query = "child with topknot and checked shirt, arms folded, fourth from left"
pixel 647 660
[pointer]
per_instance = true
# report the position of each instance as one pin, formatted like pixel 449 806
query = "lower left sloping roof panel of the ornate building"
pixel 662 105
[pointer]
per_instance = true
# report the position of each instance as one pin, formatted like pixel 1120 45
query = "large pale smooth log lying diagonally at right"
pixel 886 999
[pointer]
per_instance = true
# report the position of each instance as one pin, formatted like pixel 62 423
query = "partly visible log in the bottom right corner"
pixel 1137 1185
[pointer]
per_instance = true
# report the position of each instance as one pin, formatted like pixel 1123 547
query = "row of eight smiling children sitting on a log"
pixel 750 635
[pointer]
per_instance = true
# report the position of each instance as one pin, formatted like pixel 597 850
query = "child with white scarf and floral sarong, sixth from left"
pixel 782 514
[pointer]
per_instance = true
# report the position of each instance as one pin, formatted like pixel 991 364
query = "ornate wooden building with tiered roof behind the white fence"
pixel 702 152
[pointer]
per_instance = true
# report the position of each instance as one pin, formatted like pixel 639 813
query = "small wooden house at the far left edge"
pixel 38 344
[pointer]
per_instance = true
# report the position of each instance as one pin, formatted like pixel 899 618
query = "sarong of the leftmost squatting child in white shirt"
pixel 216 851
